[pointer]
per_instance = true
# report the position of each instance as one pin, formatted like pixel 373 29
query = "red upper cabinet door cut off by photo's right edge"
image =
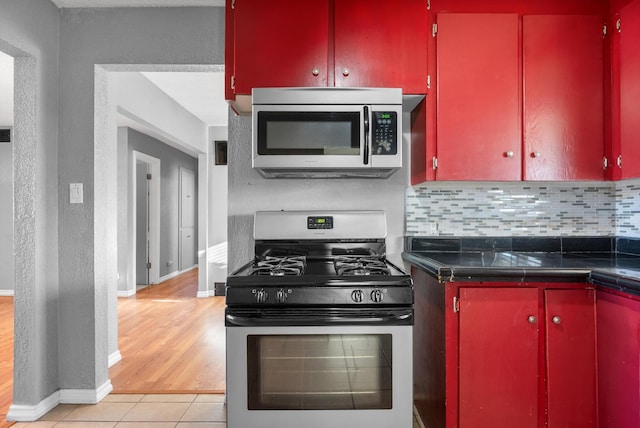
pixel 630 89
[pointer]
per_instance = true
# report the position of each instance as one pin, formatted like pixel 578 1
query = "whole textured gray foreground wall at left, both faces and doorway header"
pixel 60 303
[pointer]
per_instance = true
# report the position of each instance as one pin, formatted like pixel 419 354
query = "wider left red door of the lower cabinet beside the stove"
pixel 499 357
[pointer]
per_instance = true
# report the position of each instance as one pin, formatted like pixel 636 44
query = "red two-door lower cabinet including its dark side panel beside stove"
pixel 505 355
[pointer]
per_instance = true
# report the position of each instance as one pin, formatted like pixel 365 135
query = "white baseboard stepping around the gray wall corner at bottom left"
pixel 30 413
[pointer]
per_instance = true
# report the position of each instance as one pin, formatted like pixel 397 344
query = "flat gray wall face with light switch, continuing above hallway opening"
pixel 106 36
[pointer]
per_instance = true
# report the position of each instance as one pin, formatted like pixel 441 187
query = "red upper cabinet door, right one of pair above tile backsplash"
pixel 563 97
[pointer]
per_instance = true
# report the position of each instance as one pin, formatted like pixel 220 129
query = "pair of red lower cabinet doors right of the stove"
pixel 515 354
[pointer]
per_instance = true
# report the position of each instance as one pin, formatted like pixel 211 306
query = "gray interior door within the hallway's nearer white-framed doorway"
pixel 142 223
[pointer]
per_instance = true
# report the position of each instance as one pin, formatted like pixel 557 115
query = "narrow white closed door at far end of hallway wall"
pixel 187 218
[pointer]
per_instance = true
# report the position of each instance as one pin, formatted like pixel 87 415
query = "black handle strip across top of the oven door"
pixel 253 318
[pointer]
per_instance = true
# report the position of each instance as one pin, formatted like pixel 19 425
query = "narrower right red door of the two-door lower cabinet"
pixel 571 360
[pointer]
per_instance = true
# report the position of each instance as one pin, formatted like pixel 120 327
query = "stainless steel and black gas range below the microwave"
pixel 319 325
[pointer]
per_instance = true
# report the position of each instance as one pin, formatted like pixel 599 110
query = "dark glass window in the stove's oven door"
pixel 319 372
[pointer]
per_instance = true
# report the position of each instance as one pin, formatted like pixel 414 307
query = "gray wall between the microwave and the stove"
pixel 250 192
